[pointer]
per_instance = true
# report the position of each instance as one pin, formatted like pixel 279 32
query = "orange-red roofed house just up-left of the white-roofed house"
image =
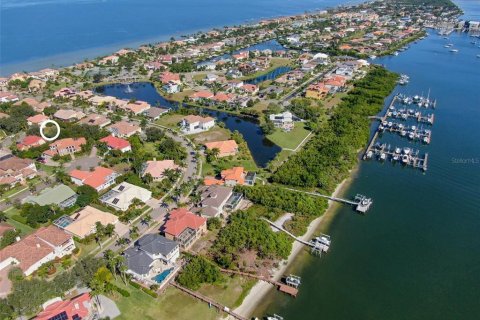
pixel 99 179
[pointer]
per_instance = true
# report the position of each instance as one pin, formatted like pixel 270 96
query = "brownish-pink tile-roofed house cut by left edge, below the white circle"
pixel 15 170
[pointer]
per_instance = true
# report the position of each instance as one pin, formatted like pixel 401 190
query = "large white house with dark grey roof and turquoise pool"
pixel 152 258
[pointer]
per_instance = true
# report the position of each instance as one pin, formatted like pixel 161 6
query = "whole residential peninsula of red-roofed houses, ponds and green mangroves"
pixel 173 190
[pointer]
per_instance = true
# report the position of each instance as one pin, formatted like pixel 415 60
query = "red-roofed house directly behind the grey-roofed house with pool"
pixel 184 227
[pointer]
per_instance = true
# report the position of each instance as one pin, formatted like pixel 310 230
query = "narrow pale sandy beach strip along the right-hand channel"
pixel 260 289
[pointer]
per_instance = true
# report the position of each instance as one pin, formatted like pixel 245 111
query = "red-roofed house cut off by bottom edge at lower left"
pixel 80 307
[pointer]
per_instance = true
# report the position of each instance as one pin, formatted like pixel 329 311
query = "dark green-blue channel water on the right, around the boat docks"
pixel 416 254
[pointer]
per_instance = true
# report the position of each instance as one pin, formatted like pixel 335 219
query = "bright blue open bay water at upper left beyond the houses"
pixel 40 33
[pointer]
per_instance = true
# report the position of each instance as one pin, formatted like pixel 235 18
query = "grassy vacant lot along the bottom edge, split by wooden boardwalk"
pixel 174 304
